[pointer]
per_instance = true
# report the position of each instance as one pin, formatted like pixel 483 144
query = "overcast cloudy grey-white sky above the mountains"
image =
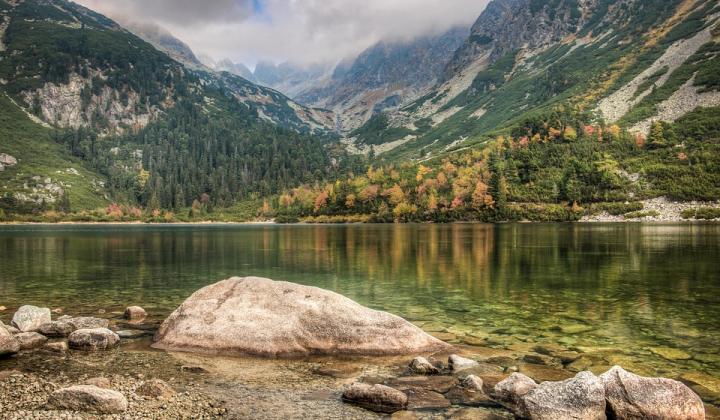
pixel 301 31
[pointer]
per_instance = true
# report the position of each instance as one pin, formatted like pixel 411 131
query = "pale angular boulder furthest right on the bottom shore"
pixel 634 397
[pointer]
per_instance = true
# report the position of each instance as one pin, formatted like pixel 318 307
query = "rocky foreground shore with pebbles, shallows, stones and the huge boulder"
pixel 88 367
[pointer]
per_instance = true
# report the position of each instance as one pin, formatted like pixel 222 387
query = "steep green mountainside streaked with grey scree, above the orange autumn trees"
pixel 630 61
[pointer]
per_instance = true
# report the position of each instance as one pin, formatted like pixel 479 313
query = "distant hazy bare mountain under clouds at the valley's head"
pixel 384 76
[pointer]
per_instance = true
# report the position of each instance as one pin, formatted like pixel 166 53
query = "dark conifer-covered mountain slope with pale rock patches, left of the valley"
pixel 95 114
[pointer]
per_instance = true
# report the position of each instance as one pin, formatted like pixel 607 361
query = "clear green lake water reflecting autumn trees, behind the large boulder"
pixel 633 287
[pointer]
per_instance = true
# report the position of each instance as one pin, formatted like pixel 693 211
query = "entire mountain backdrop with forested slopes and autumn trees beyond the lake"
pixel 543 111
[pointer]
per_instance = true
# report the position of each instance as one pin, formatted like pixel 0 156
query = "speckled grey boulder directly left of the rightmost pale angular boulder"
pixel 582 397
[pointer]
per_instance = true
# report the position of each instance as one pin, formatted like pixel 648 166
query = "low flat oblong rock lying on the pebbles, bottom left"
pixel 88 398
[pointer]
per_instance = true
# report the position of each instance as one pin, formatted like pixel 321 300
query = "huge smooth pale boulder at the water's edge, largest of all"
pixel 259 316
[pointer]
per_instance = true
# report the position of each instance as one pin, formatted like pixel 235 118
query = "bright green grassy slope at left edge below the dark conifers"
pixel 39 155
